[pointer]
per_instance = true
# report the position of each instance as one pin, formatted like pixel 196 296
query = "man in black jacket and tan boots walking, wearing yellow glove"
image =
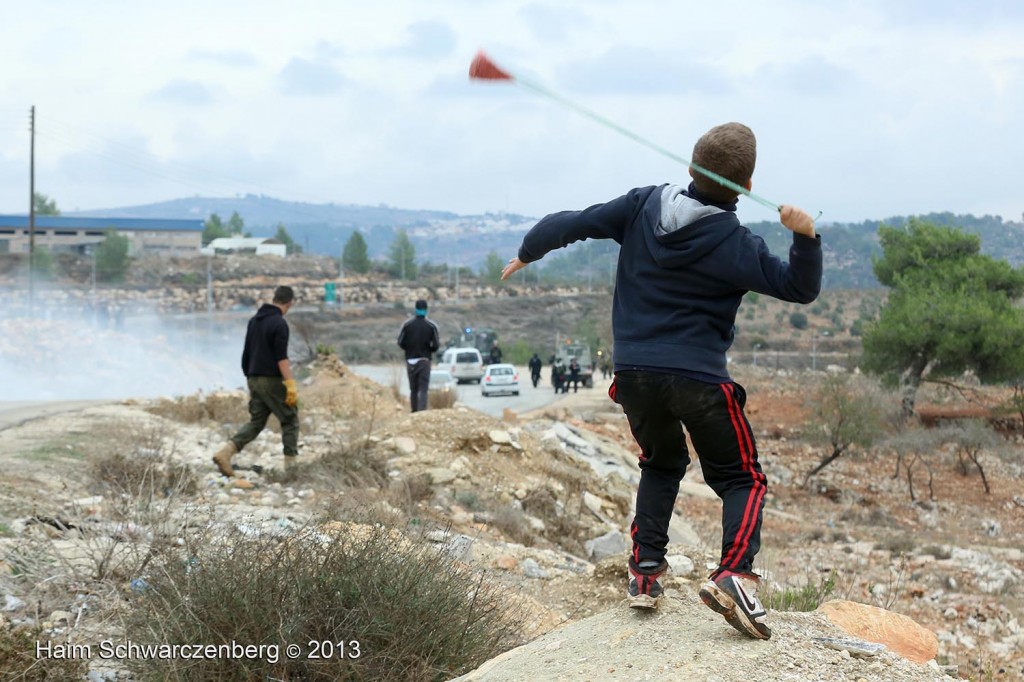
pixel 272 385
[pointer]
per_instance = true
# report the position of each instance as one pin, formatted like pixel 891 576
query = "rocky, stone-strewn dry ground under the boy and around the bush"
pixel 542 502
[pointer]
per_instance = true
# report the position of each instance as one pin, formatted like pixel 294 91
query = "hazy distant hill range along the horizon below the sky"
pixel 443 237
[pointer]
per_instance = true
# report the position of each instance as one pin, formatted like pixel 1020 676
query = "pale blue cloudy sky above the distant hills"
pixel 864 109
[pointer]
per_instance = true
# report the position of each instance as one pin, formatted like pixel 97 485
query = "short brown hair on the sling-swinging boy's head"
pixel 731 151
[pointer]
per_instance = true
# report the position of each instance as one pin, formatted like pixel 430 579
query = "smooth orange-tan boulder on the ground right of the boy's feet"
pixel 900 633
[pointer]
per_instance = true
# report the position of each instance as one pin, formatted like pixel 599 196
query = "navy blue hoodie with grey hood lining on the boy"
pixel 685 267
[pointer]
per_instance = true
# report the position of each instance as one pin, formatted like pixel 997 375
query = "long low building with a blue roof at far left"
pixel 74 235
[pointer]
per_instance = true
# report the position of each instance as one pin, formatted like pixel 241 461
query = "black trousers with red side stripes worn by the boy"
pixel 658 407
